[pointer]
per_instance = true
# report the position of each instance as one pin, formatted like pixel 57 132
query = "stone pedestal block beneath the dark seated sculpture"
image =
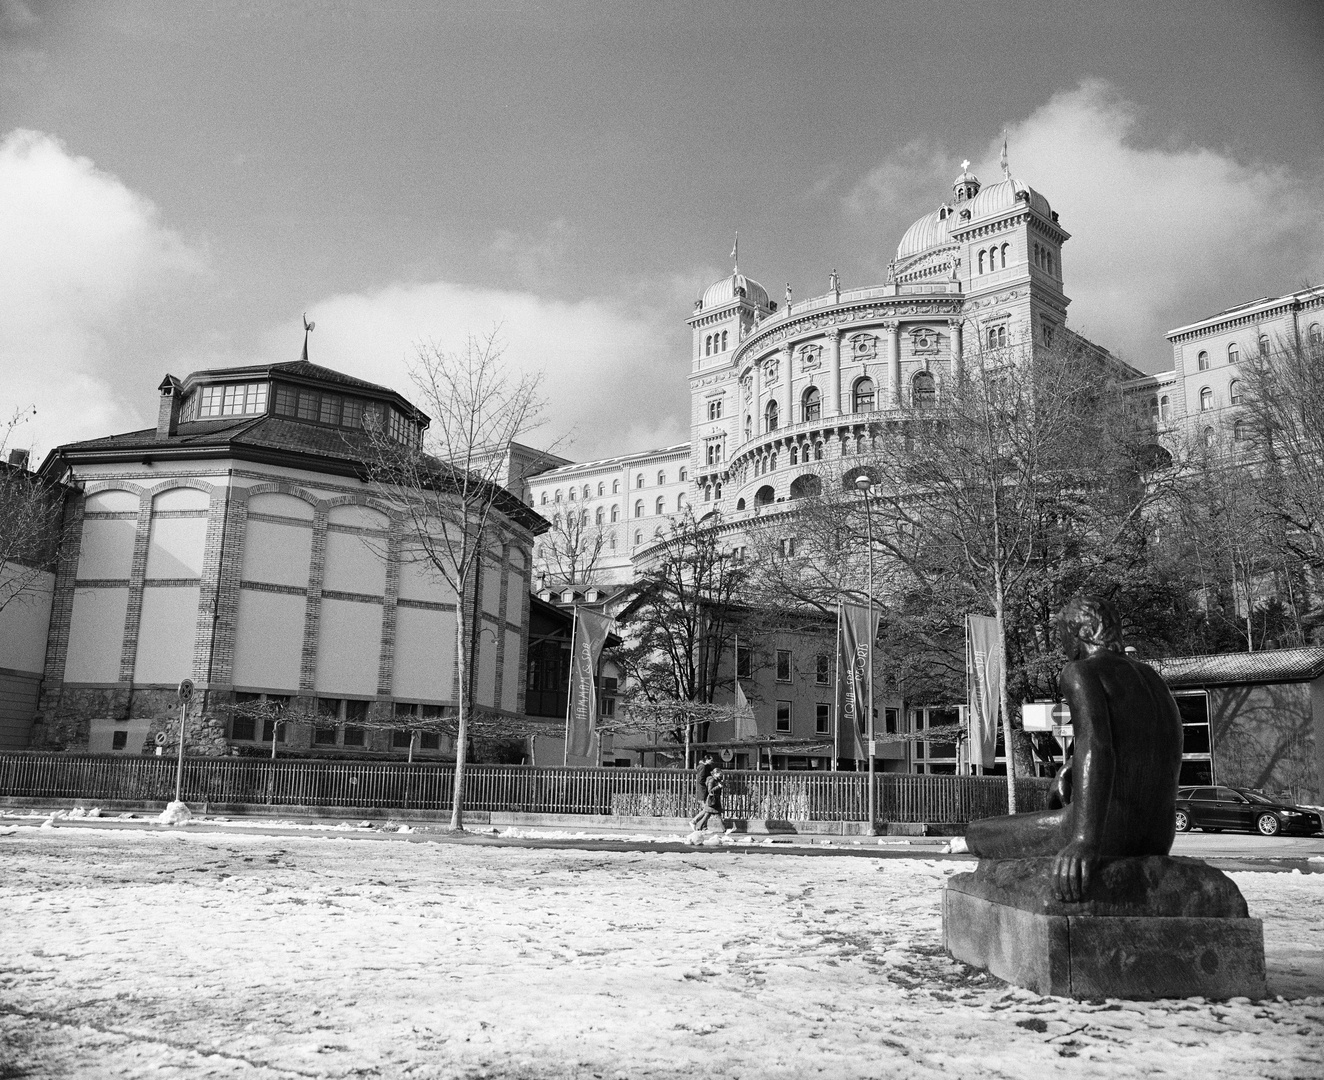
pixel 1153 928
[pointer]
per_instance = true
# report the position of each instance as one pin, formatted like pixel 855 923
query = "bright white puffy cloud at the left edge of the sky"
pixel 88 268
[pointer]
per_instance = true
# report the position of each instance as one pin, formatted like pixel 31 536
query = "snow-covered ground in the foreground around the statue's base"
pixel 169 954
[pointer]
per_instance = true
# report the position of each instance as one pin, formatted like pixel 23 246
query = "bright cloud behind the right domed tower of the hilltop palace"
pixel 1163 235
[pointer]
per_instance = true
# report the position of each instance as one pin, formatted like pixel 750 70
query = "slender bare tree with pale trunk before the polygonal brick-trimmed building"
pixel 447 488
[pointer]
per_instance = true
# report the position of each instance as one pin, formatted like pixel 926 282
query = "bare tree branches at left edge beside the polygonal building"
pixel 31 523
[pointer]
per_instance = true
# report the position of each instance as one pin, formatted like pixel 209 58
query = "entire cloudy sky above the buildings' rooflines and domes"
pixel 181 183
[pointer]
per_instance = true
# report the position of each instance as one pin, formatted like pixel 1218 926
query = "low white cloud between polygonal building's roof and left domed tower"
pixel 615 374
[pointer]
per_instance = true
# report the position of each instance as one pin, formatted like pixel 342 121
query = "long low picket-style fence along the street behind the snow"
pixel 782 796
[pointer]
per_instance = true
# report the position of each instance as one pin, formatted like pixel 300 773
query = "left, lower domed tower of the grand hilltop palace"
pixel 724 316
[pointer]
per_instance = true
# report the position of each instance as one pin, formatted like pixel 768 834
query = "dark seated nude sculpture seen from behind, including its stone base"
pixel 1082 899
